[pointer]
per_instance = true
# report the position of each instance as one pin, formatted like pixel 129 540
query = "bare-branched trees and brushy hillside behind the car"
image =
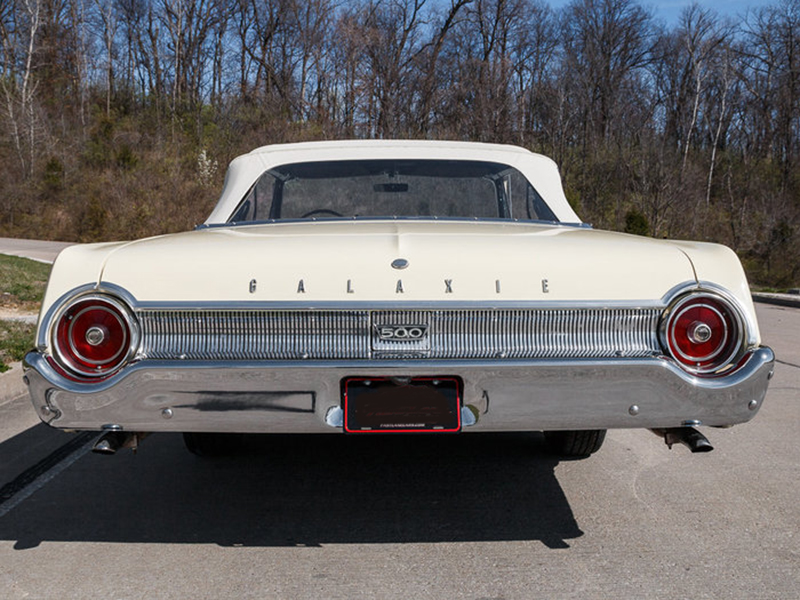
pixel 117 117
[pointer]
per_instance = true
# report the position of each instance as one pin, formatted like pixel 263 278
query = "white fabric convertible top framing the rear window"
pixel 245 170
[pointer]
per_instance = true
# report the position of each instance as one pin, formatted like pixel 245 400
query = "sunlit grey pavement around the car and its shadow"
pixel 471 516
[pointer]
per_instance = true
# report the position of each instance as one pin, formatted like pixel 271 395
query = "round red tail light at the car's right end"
pixel 703 332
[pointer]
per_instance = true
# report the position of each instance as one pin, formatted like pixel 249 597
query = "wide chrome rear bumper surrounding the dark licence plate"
pixel 507 395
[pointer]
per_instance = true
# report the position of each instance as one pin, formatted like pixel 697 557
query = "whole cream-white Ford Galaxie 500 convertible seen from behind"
pixel 395 287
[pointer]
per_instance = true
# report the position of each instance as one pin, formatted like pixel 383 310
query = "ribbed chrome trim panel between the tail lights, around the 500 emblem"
pixel 448 334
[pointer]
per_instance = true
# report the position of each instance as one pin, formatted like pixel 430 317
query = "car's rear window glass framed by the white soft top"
pixel 392 188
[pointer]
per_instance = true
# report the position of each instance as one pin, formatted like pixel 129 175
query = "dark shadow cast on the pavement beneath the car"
pixel 306 491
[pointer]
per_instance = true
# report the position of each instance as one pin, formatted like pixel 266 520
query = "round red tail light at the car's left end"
pixel 94 336
